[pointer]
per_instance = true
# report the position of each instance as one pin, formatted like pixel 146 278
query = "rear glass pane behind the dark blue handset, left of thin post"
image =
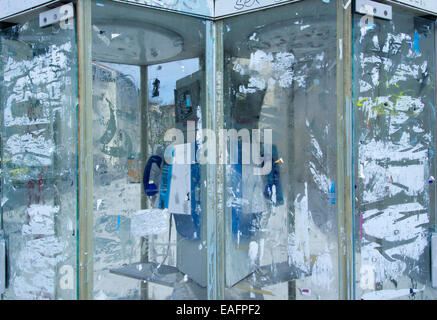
pixel 116 148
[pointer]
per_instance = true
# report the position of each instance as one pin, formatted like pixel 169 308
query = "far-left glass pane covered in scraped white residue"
pixel 38 101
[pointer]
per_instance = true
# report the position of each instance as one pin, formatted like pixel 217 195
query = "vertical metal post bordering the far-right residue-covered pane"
pixel 344 149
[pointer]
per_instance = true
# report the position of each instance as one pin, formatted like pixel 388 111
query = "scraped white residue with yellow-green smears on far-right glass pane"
pixel 394 144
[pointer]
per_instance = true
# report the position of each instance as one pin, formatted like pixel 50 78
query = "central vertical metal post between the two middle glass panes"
pixel 215 173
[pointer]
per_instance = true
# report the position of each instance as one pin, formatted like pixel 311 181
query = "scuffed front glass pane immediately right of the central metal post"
pixel 281 227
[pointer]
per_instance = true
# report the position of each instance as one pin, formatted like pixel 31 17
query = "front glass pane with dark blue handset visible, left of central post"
pixel 148 102
